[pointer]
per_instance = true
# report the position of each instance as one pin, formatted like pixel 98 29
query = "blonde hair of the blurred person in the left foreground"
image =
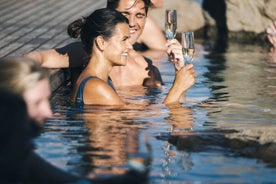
pixel 17 74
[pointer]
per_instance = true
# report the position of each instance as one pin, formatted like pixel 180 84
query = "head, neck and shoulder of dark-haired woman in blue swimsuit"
pixel 105 35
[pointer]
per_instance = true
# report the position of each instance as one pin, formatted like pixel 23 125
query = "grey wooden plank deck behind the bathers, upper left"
pixel 27 25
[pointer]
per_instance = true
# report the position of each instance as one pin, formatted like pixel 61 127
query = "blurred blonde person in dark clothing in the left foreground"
pixel 23 109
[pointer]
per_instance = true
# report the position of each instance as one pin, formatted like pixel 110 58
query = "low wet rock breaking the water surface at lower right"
pixel 259 144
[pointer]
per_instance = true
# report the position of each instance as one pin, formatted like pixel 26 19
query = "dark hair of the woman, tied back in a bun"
pixel 100 22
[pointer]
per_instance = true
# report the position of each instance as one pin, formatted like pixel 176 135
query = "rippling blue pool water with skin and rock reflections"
pixel 224 132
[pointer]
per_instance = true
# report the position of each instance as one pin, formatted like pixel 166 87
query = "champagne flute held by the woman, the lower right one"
pixel 188 46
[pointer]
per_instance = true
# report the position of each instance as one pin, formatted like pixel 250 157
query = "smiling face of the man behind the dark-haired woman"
pixel 135 12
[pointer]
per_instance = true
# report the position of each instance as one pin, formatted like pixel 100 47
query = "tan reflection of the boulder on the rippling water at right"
pixel 242 87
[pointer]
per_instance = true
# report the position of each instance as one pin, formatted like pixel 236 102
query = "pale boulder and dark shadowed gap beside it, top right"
pixel 243 21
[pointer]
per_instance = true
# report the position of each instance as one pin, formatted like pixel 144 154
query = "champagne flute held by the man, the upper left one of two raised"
pixel 170 24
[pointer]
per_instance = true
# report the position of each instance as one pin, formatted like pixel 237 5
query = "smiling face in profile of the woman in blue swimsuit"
pixel 118 45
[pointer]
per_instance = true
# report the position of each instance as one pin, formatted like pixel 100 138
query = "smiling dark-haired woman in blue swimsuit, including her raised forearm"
pixel 105 35
